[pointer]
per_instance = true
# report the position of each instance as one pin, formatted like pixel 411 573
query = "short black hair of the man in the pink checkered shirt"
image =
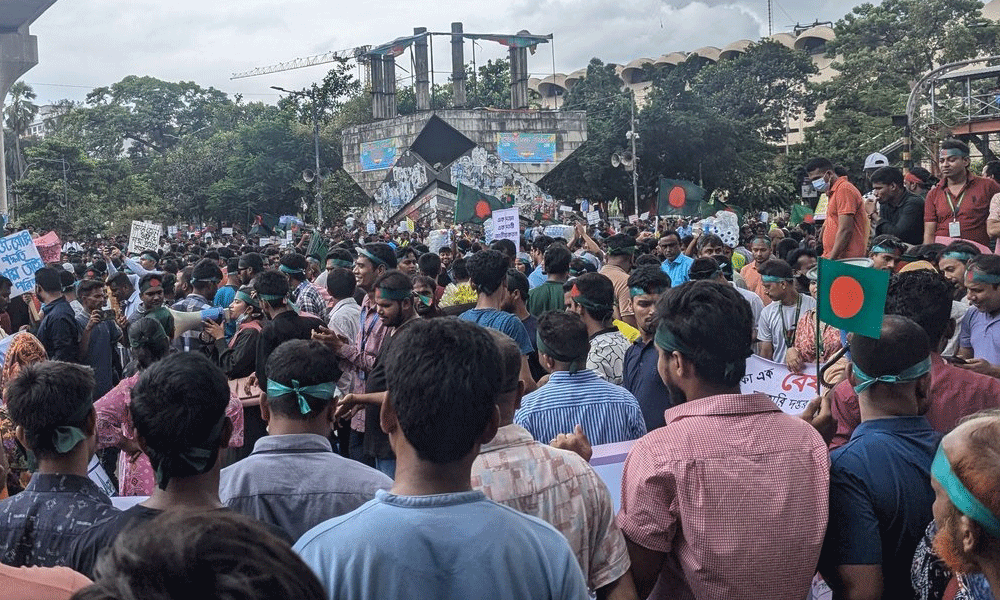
pixel 695 313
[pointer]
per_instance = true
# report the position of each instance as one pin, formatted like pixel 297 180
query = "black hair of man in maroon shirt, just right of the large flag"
pixel 924 296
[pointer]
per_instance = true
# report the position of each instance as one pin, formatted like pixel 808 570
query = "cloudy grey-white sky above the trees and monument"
pixel 88 43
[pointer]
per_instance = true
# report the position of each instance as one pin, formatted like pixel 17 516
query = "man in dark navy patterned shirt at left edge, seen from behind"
pixel 51 403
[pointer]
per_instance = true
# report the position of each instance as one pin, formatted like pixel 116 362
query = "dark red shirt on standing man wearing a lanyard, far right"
pixel 972 212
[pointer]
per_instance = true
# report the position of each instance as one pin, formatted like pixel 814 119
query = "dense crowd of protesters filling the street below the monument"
pixel 390 420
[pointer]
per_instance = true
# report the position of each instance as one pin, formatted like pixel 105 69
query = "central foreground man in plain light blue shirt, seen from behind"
pixel 431 536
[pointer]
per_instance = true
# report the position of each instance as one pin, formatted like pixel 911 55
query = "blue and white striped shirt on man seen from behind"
pixel 608 413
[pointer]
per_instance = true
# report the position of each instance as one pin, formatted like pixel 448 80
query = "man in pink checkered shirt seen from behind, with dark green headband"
pixel 688 488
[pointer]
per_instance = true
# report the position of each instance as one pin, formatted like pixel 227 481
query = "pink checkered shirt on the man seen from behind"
pixel 735 493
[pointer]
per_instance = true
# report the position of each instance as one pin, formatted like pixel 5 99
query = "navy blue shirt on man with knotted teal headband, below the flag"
pixel 881 497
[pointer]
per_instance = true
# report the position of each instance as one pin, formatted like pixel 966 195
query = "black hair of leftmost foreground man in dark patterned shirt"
pixel 47 395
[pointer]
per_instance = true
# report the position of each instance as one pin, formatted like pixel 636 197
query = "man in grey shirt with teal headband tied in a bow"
pixel 293 480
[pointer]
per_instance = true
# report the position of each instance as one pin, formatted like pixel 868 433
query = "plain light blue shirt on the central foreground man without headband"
pixel 458 545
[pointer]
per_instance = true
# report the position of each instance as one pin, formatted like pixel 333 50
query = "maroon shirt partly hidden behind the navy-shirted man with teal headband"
pixel 955 392
